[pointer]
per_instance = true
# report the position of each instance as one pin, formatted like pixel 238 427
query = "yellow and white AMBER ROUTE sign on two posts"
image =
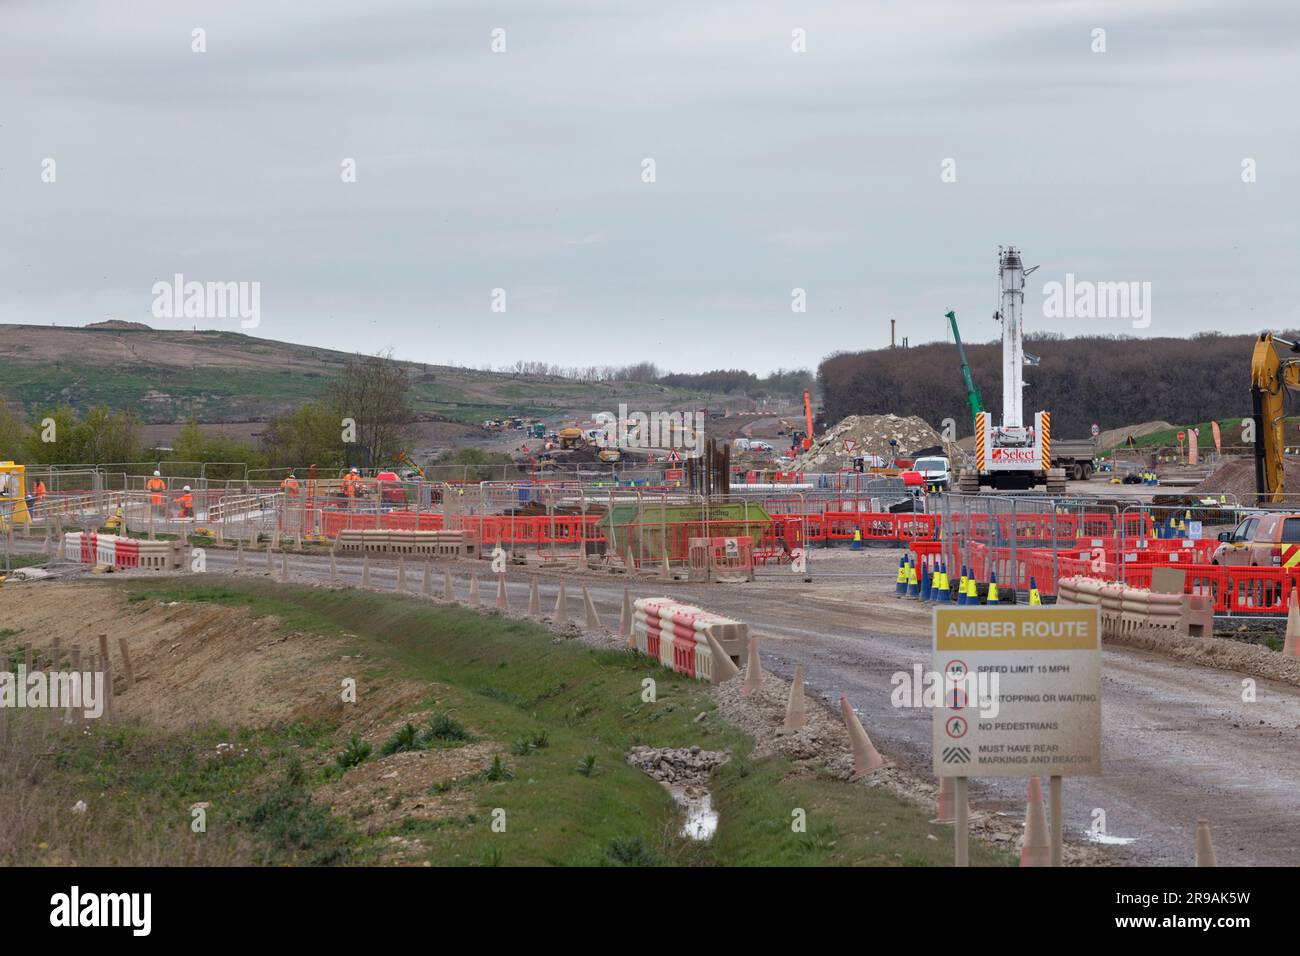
pixel 1022 698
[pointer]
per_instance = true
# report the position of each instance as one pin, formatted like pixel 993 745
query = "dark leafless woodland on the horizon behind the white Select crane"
pixel 1110 380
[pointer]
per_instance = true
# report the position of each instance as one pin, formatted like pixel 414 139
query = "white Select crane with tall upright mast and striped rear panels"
pixel 1013 456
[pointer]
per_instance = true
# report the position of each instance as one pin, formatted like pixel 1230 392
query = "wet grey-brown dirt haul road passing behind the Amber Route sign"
pixel 1180 742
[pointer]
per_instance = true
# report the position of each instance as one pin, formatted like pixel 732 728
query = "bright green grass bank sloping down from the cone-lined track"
pixel 562 717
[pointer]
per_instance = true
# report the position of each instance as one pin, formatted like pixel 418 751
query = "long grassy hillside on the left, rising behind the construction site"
pixel 227 377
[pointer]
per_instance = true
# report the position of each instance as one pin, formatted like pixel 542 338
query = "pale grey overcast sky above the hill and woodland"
pixel 775 170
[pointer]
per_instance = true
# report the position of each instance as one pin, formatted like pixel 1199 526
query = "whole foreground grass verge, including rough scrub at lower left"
pixel 552 720
